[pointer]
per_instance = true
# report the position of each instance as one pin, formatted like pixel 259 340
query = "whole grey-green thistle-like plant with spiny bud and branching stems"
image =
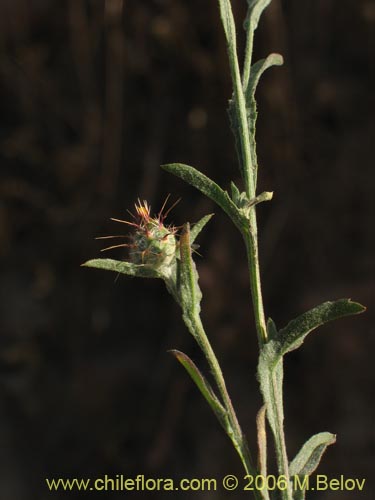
pixel 160 251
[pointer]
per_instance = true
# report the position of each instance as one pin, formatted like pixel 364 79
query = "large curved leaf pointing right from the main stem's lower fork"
pixel 292 336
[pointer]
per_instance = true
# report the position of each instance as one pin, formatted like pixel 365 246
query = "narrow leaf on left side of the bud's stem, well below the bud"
pixel 204 387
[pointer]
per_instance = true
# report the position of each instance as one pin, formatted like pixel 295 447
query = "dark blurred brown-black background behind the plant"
pixel 94 96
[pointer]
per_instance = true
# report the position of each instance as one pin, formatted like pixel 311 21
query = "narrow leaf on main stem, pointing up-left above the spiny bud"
pixel 208 187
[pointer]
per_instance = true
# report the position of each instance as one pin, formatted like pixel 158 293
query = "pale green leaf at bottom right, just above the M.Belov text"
pixel 308 458
